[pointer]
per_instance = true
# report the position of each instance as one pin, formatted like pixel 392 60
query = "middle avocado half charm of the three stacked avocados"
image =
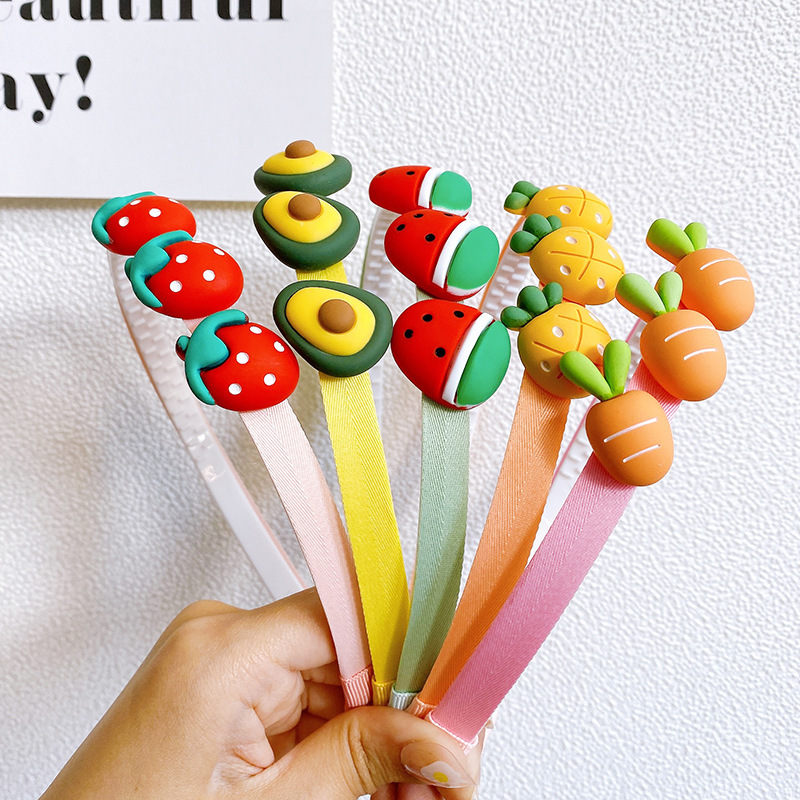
pixel 304 231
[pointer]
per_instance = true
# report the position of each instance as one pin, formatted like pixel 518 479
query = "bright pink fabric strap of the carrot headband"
pixel 549 582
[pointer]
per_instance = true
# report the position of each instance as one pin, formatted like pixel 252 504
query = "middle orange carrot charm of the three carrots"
pixel 680 347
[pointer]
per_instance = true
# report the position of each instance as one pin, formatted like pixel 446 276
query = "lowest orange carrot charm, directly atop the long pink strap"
pixel 629 431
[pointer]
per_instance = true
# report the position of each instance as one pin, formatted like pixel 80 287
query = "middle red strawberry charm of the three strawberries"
pixel 179 277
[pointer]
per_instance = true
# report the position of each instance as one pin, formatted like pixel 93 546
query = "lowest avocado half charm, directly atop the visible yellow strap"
pixel 340 330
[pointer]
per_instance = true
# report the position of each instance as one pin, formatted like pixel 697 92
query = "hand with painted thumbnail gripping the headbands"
pixel 248 704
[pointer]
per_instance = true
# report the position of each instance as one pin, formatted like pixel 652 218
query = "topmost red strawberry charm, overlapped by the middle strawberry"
pixel 123 224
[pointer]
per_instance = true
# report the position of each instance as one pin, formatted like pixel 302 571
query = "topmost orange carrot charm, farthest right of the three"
pixel 714 282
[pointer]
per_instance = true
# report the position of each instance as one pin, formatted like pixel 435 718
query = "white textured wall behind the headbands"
pixel 674 673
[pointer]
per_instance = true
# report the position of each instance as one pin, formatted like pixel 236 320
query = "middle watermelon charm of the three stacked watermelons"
pixel 442 253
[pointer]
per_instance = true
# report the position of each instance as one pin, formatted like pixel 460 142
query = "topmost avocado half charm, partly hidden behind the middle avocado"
pixel 303 168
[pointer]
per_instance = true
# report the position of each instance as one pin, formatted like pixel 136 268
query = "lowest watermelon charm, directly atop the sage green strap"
pixel 454 354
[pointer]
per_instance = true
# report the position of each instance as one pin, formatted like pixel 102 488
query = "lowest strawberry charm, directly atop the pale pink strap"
pixel 236 364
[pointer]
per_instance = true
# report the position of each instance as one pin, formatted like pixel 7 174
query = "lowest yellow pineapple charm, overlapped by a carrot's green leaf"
pixel 549 327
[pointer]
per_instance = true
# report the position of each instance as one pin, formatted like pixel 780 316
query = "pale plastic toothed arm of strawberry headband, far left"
pixel 156 349
